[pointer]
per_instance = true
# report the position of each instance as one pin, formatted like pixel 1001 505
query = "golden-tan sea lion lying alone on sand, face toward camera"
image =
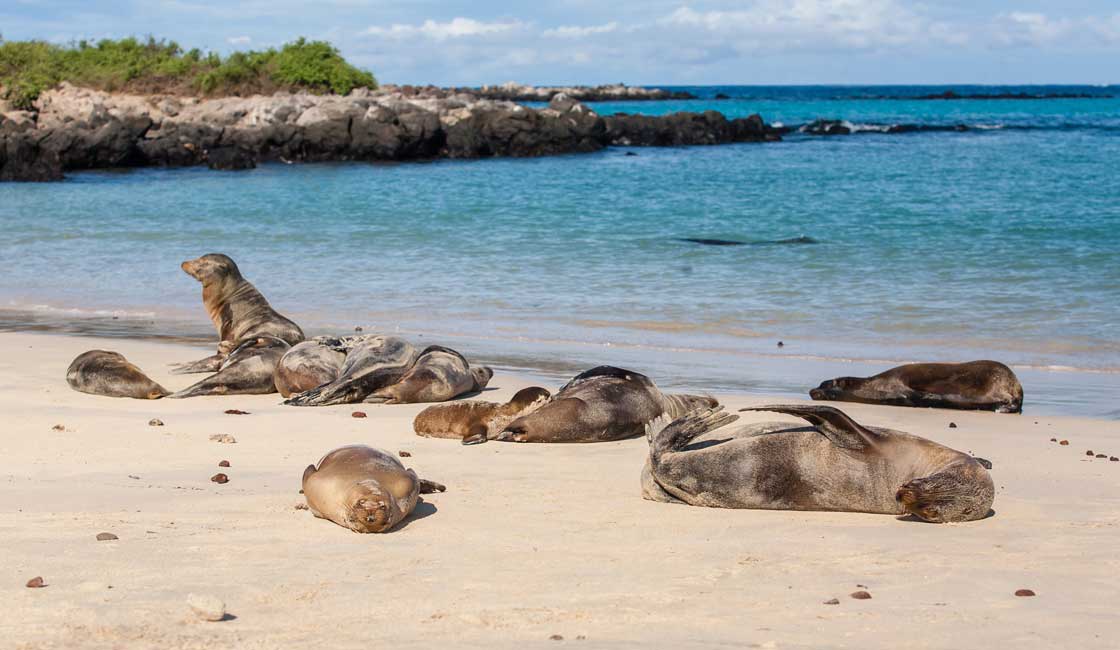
pixel 363 489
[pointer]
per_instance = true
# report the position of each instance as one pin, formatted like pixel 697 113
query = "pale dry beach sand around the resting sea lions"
pixel 529 541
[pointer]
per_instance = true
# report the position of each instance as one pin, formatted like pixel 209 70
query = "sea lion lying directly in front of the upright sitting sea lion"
pixel 249 370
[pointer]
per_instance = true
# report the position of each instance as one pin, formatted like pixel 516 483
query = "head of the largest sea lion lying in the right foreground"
pixel 964 493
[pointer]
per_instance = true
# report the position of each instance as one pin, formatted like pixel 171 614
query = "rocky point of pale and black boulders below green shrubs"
pixel 76 129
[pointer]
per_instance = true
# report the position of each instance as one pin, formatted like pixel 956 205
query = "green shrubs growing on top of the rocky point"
pixel 30 68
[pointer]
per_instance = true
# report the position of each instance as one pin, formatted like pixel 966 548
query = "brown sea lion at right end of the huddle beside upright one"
pixel 438 375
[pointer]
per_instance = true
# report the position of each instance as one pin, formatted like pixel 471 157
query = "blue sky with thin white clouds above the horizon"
pixel 639 42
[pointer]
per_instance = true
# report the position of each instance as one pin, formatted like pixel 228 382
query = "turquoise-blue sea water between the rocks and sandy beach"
pixel 998 243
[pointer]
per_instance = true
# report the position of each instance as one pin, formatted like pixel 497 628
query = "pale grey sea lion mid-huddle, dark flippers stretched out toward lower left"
pixel 372 363
